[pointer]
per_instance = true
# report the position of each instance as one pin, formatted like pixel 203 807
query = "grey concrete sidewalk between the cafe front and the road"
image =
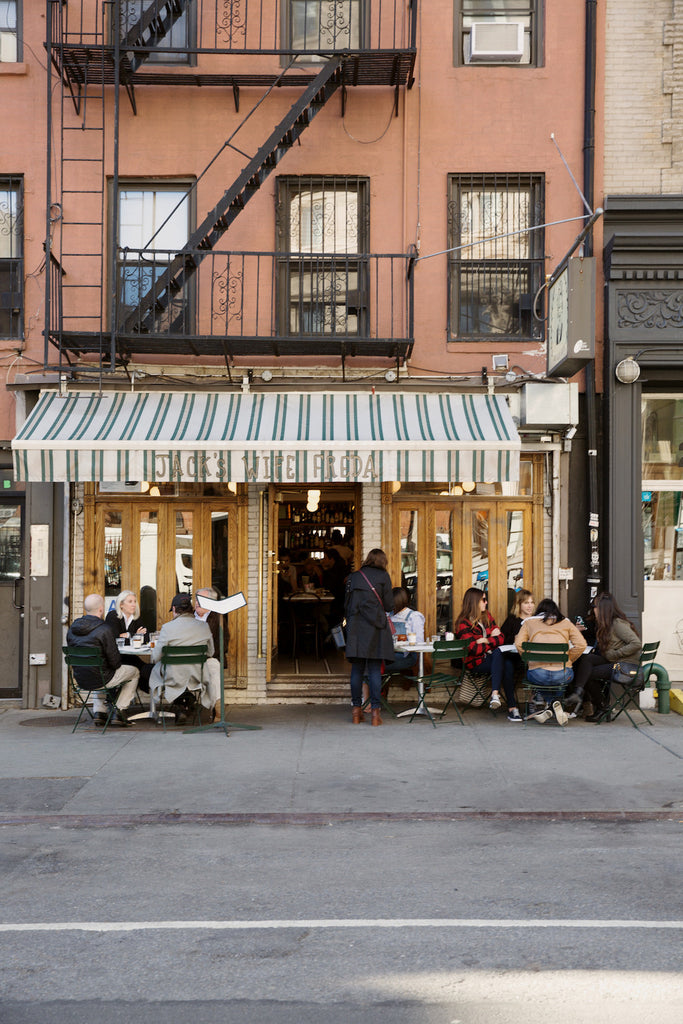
pixel 310 760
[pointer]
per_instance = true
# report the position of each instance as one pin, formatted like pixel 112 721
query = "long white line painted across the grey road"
pixel 407 923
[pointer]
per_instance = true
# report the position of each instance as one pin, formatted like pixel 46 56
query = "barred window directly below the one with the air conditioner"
pixel 496 266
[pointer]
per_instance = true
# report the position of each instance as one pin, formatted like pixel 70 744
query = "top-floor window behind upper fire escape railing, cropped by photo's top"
pixel 325 25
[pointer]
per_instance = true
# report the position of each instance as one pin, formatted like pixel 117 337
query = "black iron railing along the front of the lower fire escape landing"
pixel 271 297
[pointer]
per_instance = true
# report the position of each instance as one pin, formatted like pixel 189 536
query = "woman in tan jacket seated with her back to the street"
pixel 549 626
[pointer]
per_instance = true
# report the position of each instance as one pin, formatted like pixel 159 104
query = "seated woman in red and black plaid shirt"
pixel 484 657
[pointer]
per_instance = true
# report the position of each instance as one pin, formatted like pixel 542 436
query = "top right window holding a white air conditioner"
pixel 507 15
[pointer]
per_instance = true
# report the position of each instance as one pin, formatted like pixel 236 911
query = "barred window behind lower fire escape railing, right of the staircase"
pixel 323 279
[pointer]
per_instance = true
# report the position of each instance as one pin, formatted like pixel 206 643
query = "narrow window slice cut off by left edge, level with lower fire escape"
pixel 12 258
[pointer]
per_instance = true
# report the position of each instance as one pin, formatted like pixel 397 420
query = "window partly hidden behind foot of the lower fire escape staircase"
pixel 155 223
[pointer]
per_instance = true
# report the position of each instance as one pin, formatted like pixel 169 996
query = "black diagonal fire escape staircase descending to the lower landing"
pixel 156 303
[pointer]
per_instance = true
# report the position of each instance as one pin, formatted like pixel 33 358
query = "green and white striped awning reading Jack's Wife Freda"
pixel 278 438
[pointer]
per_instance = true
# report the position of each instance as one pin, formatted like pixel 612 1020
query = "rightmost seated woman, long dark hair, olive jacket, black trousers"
pixel 616 641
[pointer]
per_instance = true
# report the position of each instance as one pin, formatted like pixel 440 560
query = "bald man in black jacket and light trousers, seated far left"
pixel 92 631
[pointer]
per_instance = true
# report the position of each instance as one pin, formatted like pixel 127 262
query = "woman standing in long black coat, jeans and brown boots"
pixel 369 637
